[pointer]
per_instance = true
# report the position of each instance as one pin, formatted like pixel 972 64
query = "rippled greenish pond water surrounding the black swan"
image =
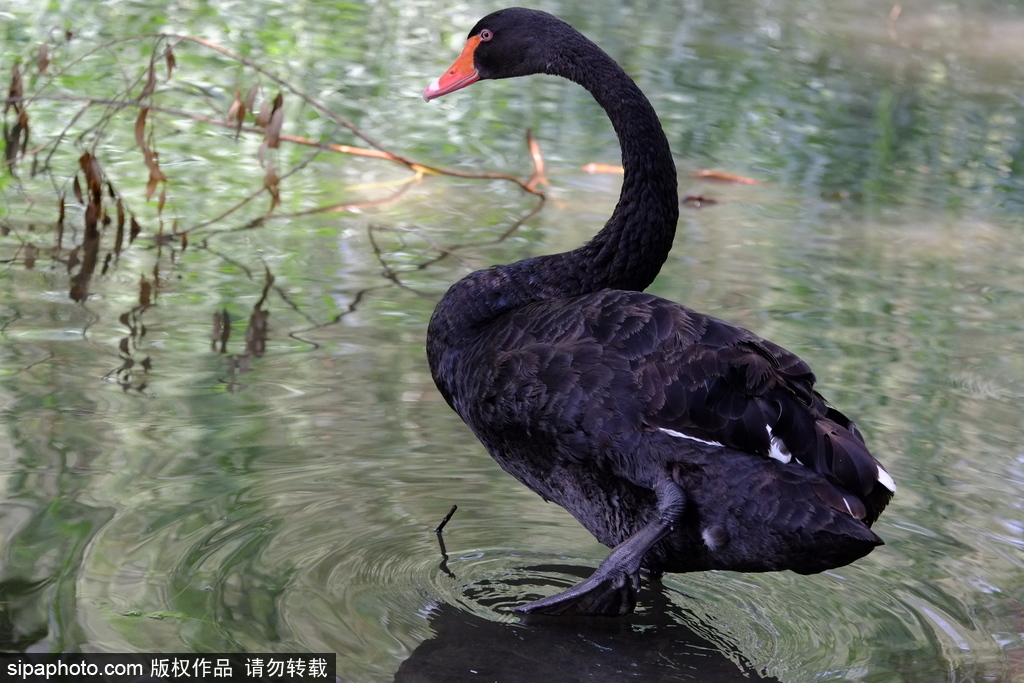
pixel 223 436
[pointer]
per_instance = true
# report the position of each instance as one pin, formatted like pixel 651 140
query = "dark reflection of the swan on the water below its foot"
pixel 656 645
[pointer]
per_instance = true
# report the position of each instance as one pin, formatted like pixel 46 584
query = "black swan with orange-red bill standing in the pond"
pixel 684 442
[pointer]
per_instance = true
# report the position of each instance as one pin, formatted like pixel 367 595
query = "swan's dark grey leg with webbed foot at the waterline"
pixel 612 590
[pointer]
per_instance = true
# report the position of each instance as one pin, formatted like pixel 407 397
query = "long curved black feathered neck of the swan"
pixel 626 254
